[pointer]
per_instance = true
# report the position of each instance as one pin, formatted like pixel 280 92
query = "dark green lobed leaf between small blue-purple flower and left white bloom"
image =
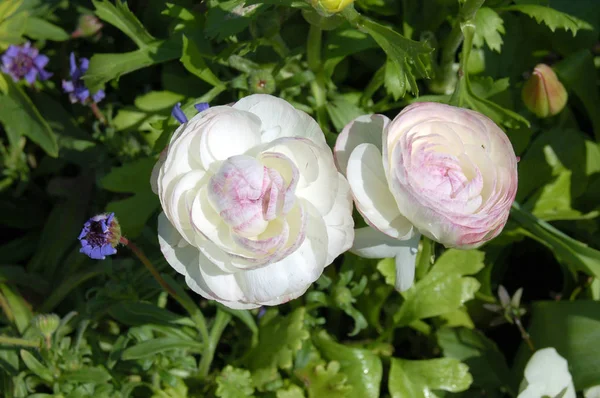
pixel 134 177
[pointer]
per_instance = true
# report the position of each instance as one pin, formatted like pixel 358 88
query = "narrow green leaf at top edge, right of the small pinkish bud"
pixel 121 17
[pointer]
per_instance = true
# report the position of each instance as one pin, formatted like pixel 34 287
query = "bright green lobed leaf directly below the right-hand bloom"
pixel 444 289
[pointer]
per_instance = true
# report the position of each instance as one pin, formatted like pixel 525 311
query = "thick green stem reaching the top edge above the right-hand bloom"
pixel 445 76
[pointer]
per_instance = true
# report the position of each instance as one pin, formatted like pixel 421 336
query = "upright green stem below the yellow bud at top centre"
pixel 317 86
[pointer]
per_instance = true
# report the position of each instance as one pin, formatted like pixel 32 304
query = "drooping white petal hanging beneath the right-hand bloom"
pixel 370 243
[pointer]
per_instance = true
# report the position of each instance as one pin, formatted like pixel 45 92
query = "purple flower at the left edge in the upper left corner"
pixel 25 62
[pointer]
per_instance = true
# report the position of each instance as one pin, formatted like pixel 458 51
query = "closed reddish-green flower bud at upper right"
pixel 543 93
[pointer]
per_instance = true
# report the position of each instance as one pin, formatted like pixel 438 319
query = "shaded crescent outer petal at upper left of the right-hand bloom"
pixel 364 129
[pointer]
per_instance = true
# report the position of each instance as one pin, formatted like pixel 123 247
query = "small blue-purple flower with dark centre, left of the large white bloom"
pixel 100 236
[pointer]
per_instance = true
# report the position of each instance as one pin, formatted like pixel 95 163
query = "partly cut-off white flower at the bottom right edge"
pixel 547 374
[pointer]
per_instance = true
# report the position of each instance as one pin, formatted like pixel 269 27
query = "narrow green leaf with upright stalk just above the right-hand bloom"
pixel 466 96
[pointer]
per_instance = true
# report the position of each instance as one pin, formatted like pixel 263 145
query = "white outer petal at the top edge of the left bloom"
pixel 280 119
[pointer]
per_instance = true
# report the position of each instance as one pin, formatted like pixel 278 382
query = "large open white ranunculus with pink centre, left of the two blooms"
pixel 253 205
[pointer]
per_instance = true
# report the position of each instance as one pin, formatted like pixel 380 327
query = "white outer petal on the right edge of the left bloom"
pixel 339 222
